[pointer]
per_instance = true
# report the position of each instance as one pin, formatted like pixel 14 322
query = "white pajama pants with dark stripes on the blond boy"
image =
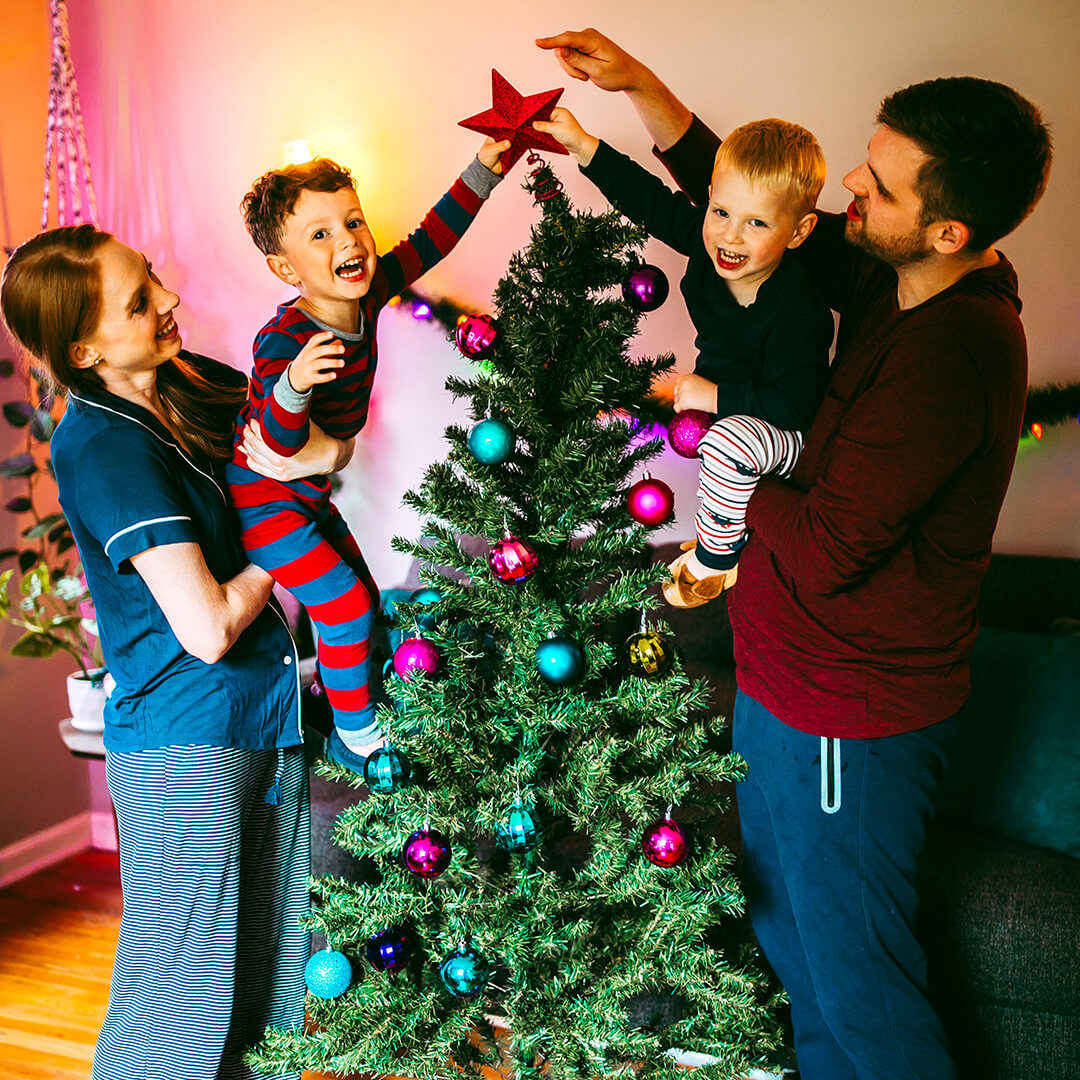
pixel 735 454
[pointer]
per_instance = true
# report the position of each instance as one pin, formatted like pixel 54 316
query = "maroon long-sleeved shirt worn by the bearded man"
pixel 855 612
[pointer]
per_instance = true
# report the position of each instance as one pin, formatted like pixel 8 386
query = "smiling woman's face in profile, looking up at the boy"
pixel 137 332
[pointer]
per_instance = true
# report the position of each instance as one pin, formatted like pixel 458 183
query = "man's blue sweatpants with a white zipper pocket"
pixel 832 832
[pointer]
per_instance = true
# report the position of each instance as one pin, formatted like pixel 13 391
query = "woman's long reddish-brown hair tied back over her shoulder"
pixel 51 299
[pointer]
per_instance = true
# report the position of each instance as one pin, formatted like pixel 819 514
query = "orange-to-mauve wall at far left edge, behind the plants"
pixel 40 784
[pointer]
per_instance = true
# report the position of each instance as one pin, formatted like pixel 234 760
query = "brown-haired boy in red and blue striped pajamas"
pixel 315 363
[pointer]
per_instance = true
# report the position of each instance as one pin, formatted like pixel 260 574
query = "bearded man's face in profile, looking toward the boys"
pixel 884 219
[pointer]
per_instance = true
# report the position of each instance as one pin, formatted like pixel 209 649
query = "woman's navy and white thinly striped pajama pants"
pixel 215 882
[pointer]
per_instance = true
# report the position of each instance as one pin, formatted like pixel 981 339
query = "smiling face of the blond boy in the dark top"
pixel 748 229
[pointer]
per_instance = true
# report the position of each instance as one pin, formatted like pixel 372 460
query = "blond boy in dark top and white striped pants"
pixel 764 331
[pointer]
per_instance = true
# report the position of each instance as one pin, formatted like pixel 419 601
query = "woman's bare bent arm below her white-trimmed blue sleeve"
pixel 207 616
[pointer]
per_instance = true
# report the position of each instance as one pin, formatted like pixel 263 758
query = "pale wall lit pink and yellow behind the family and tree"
pixel 188 101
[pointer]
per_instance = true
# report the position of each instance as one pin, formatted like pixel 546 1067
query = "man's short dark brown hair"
pixel 989 153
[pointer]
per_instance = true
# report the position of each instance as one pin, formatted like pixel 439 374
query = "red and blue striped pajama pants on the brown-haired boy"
pixel 307 548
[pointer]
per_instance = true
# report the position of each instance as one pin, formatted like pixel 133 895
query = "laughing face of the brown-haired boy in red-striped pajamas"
pixel 328 251
